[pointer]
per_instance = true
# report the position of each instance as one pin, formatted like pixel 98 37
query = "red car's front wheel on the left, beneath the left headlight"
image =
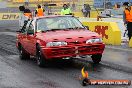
pixel 41 61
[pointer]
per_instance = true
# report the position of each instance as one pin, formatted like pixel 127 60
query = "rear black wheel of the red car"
pixel 23 55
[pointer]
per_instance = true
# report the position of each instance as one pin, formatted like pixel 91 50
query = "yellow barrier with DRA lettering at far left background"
pixel 9 16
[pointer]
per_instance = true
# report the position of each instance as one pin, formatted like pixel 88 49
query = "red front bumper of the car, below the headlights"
pixel 72 50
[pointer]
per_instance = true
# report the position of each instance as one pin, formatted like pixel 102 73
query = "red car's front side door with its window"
pixel 31 40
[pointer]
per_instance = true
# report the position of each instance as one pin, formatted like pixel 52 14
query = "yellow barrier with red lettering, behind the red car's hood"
pixel 109 31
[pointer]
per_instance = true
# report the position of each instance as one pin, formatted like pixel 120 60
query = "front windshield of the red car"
pixel 58 23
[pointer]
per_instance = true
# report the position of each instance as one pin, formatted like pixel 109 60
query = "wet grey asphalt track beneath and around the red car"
pixel 16 73
